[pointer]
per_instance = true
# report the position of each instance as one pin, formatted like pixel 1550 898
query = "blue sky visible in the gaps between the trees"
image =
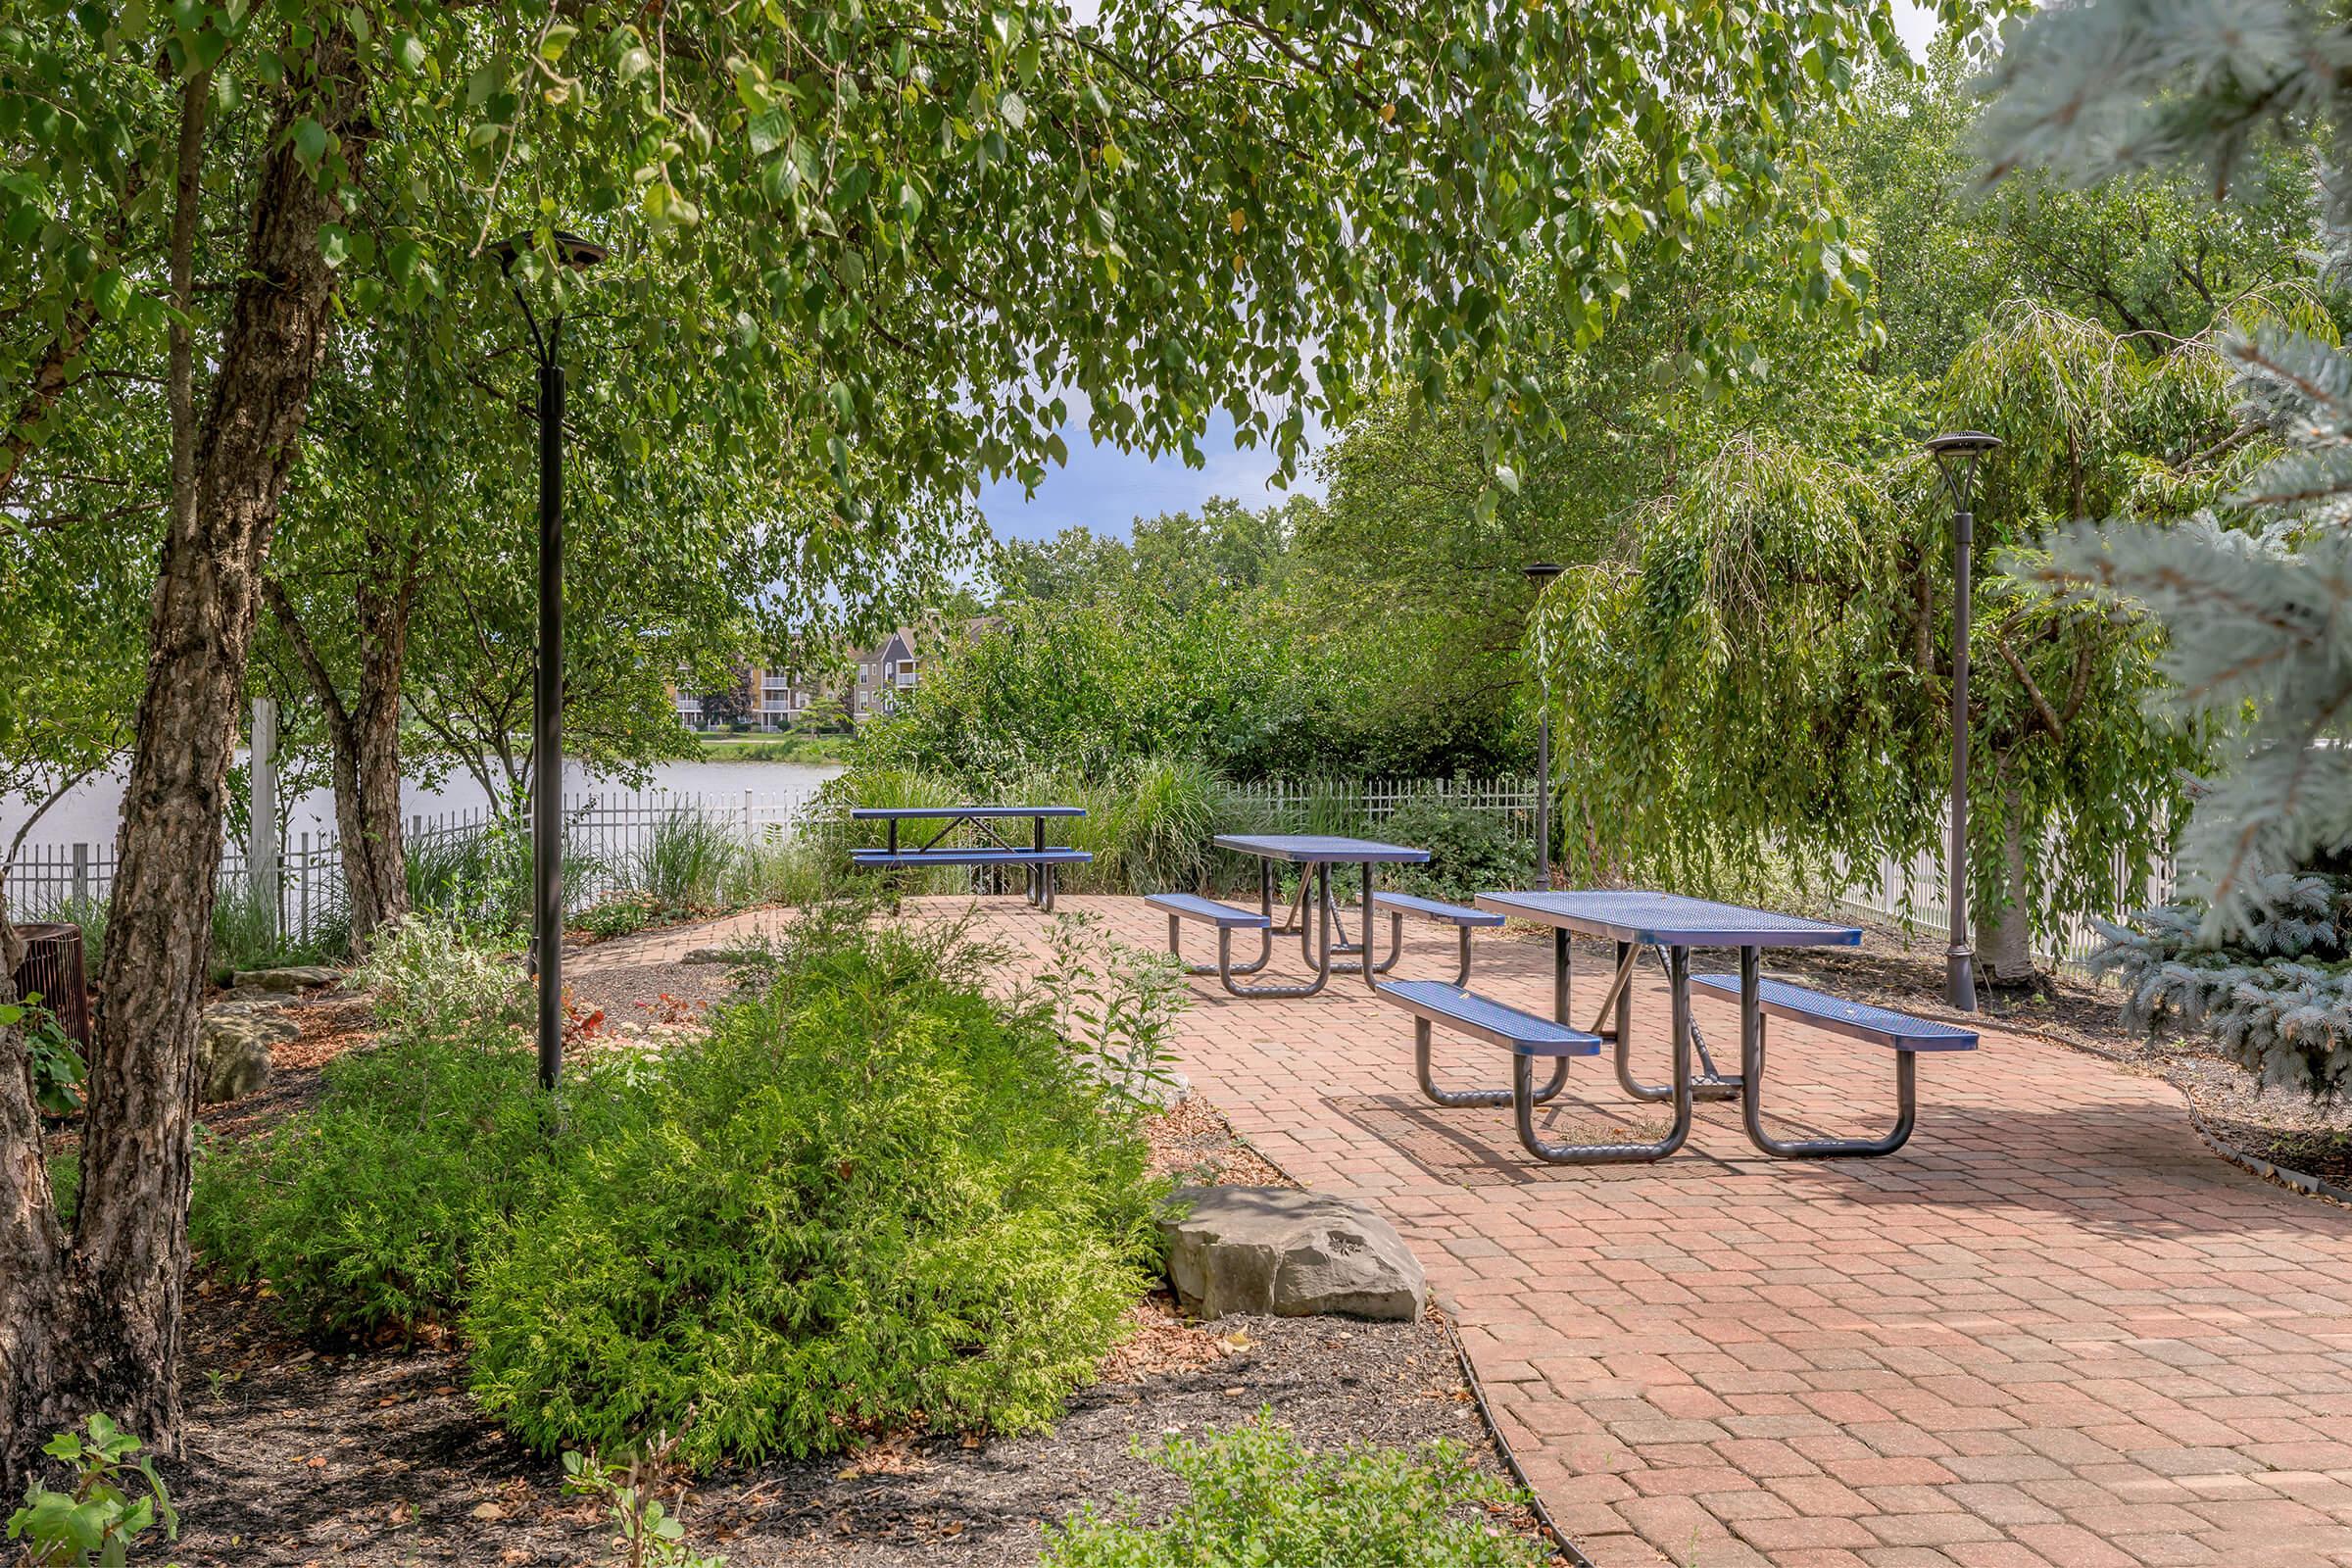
pixel 1107 490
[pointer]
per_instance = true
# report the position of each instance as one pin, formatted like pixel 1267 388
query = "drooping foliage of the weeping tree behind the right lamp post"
pixel 1765 678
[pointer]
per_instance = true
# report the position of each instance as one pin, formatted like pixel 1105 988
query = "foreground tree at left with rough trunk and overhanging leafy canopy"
pixel 890 236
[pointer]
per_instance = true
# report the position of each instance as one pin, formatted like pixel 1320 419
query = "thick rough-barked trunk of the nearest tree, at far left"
pixel 98 1325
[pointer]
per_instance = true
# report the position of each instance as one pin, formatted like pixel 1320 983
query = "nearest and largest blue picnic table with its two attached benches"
pixel 1669 925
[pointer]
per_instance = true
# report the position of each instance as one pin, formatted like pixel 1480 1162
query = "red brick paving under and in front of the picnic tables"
pixel 2050 1334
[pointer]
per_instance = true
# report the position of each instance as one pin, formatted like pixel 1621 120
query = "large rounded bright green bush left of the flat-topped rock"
pixel 869 1200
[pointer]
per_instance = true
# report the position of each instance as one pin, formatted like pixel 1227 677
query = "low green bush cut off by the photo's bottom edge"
pixel 1259 1499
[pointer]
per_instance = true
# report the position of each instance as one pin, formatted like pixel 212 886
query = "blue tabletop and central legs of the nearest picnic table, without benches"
pixel 1671 925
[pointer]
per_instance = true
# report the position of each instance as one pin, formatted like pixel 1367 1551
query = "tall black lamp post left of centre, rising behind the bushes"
pixel 549 674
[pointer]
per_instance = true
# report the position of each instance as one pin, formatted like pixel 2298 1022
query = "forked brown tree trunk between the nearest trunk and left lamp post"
pixel 366 742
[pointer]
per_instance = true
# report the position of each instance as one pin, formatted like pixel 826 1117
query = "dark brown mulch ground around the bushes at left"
pixel 375 1456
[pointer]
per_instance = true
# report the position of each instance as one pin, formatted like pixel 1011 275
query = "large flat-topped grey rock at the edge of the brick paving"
pixel 1288 1254
